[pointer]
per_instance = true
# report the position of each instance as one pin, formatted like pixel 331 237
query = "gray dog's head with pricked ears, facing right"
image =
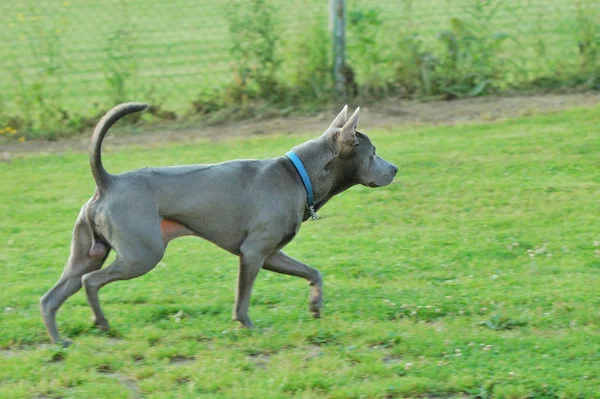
pixel 355 153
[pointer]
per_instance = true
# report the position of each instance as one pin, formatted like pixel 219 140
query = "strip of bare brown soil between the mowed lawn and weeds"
pixel 383 115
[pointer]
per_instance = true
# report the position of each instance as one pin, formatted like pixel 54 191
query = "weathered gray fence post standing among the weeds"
pixel 337 26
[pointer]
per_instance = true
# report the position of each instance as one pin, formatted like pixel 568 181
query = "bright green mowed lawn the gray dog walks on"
pixel 475 274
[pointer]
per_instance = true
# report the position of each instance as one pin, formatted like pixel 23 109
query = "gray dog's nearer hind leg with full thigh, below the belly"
pixel 138 252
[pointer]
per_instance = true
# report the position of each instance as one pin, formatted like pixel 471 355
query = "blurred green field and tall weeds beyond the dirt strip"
pixel 65 62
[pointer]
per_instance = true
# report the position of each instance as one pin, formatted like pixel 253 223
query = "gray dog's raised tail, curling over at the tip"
pixel 100 174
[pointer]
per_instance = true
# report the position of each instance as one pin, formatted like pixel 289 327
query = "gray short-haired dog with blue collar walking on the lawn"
pixel 250 208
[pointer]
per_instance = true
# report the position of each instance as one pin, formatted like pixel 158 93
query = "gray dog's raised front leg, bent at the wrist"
pixel 281 263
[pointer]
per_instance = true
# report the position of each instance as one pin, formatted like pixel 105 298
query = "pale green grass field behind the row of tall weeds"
pixel 65 60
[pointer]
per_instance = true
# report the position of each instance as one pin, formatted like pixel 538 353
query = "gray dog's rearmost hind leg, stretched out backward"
pixel 80 262
